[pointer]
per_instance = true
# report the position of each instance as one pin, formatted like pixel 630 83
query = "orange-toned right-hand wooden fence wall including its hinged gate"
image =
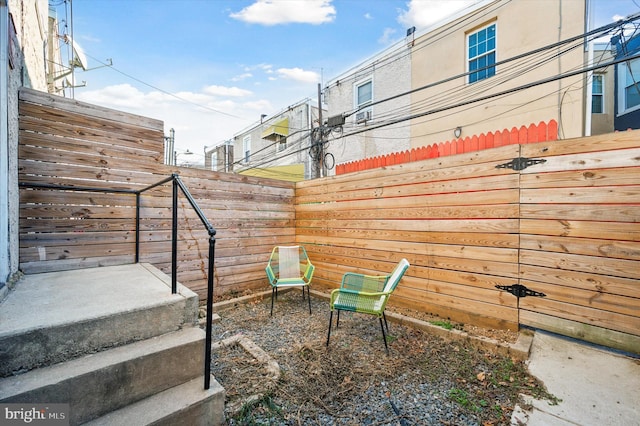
pixel 566 226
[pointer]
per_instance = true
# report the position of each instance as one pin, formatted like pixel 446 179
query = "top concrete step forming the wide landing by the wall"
pixel 53 317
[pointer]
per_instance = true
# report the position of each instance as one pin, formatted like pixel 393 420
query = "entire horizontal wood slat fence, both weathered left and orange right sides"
pixel 566 226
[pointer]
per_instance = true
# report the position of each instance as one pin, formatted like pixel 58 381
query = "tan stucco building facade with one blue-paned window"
pixel 471 82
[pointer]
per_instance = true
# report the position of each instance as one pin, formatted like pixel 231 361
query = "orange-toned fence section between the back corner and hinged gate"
pixel 454 218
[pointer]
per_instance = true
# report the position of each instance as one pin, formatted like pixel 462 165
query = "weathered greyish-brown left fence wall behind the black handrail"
pixel 71 143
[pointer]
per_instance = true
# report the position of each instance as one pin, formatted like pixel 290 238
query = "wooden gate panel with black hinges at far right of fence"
pixel 580 239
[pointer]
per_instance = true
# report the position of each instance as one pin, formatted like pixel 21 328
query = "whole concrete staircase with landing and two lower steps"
pixel 136 357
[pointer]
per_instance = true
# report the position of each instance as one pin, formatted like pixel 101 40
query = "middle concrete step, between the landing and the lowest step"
pixel 99 383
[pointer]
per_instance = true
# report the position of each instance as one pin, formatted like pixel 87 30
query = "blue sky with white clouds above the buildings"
pixel 210 68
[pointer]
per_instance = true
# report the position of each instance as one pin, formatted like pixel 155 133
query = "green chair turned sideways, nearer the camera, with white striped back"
pixel 366 294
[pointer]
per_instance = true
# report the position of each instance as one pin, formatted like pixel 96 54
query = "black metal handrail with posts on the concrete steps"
pixel 177 184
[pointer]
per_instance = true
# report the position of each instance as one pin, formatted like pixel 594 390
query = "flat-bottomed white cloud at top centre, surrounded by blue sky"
pixel 275 12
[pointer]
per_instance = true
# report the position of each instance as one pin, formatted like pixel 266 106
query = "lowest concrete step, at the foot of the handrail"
pixel 188 404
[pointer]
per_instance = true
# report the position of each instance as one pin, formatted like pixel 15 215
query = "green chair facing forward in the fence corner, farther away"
pixel 289 266
